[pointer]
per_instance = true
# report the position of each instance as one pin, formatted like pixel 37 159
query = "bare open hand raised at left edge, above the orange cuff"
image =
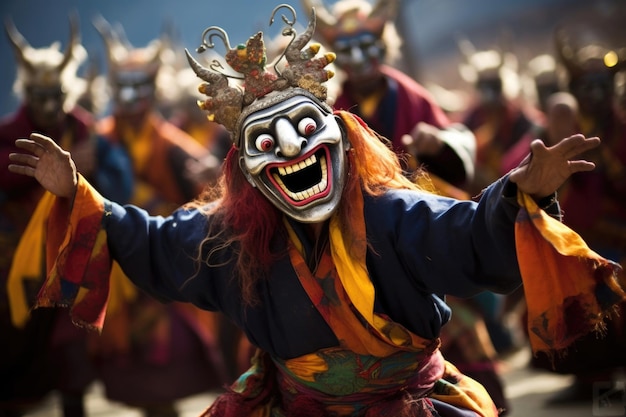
pixel 47 162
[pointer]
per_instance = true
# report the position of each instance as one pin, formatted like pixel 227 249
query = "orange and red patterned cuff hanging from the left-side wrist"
pixel 78 262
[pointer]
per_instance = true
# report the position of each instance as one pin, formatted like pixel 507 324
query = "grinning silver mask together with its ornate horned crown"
pixel 291 146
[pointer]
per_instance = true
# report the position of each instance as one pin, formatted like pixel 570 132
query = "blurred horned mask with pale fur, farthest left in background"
pixel 46 77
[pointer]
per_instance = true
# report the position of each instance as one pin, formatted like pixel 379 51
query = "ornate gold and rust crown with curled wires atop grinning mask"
pixel 227 104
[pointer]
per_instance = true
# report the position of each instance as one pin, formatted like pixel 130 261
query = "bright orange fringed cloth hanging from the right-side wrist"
pixel 570 290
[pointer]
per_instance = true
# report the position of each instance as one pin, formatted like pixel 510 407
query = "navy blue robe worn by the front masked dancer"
pixel 423 247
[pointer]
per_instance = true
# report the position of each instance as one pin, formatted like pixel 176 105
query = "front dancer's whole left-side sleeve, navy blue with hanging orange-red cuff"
pixel 158 254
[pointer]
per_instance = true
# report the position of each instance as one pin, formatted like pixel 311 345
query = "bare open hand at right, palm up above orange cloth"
pixel 545 169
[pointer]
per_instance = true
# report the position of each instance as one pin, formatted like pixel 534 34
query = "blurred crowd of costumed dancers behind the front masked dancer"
pixel 136 132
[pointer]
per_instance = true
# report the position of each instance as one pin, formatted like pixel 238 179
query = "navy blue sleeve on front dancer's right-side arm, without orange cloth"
pixel 446 246
